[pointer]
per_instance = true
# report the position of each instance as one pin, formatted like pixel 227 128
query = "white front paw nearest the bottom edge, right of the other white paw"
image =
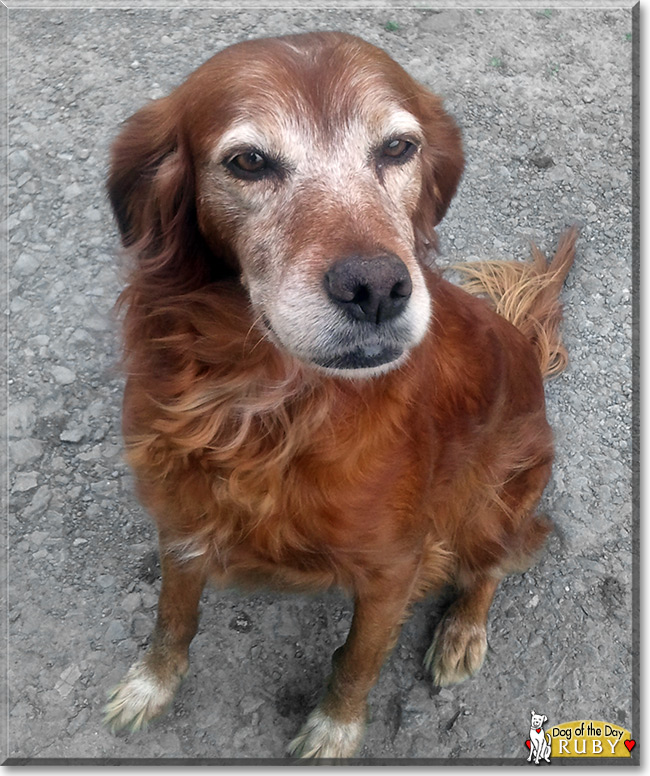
pixel 322 736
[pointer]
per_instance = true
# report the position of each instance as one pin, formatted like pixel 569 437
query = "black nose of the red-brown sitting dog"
pixel 369 289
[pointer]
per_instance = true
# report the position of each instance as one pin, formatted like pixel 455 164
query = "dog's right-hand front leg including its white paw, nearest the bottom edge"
pixel 336 726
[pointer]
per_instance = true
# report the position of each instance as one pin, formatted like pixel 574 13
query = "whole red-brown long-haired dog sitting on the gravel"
pixel 308 402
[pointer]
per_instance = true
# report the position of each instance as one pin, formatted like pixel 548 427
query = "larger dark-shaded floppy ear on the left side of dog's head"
pixel 151 189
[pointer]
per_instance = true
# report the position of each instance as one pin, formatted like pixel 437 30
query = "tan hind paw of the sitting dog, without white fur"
pixel 457 650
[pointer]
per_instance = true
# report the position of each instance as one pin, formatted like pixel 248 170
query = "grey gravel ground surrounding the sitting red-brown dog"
pixel 544 99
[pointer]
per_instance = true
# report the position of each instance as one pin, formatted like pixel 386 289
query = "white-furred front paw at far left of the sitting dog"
pixel 139 697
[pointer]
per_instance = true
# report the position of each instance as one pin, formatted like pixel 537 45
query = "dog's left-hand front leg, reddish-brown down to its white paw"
pixel 150 684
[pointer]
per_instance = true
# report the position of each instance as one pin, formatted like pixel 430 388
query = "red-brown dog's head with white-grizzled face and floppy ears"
pixel 314 168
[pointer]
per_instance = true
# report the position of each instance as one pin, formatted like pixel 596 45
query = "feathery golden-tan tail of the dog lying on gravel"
pixel 526 294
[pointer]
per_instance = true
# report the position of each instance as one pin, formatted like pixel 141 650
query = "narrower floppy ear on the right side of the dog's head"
pixel 443 163
